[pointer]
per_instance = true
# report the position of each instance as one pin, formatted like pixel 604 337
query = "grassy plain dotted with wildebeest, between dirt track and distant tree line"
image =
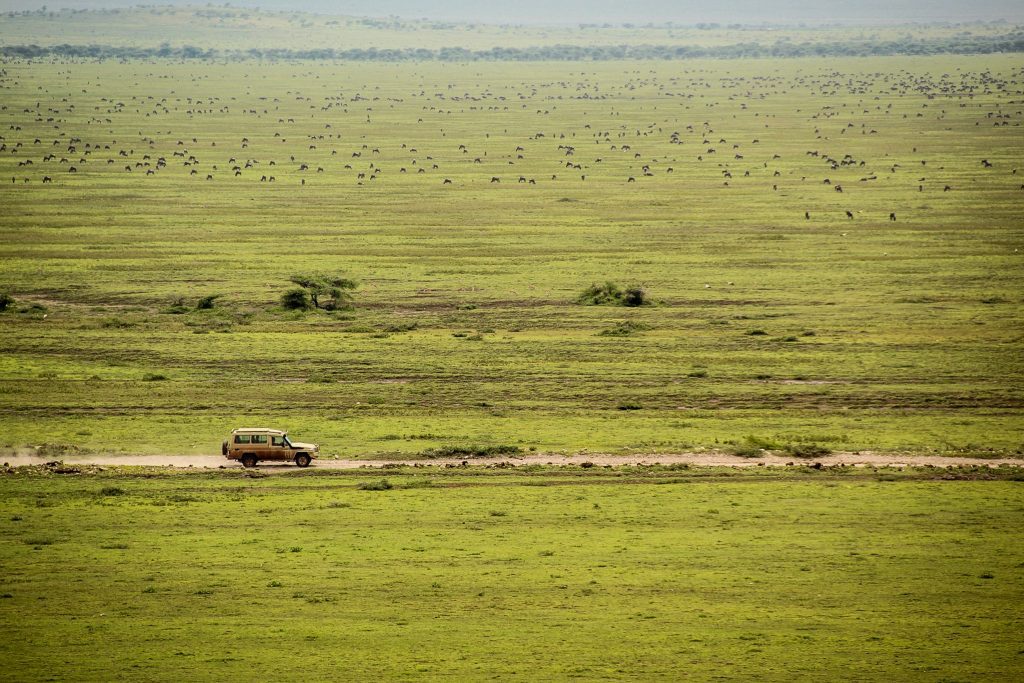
pixel 774 314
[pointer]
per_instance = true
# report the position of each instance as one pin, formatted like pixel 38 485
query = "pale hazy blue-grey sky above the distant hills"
pixel 639 12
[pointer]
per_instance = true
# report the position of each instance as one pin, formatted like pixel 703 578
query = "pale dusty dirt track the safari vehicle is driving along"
pixel 696 459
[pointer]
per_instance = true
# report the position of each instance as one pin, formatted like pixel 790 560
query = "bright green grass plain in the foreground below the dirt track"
pixel 556 574
